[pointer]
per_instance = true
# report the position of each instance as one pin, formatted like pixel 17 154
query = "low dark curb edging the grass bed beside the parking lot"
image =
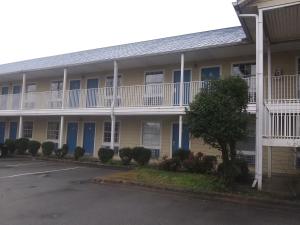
pixel 234 198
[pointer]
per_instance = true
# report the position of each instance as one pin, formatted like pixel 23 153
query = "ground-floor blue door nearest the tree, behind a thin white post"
pixel 185 137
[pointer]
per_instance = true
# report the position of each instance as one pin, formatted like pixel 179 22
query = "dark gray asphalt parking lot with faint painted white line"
pixel 51 193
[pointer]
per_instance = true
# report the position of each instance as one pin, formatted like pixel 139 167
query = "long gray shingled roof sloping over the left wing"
pixel 226 36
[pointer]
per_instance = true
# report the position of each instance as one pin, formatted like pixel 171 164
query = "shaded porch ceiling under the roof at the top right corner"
pixel 283 24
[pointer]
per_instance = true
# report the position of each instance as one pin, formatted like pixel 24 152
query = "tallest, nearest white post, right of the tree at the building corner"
pixel 260 105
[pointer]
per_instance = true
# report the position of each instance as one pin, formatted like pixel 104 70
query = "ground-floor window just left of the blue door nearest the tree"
pixel 151 135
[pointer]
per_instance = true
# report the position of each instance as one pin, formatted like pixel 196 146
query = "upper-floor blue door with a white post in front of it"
pixel 186 89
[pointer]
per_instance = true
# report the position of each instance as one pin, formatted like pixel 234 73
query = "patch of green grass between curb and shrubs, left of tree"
pixel 194 182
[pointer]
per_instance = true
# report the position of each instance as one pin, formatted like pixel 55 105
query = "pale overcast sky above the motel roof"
pixel 37 28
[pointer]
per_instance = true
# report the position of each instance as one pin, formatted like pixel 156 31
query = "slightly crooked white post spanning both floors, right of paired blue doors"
pixel 113 119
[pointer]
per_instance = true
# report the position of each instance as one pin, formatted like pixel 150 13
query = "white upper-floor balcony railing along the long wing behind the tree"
pixel 153 95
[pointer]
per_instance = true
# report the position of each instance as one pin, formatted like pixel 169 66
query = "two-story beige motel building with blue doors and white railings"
pixel 136 94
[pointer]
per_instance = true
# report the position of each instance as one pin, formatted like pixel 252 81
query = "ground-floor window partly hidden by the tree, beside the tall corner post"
pixel 246 148
